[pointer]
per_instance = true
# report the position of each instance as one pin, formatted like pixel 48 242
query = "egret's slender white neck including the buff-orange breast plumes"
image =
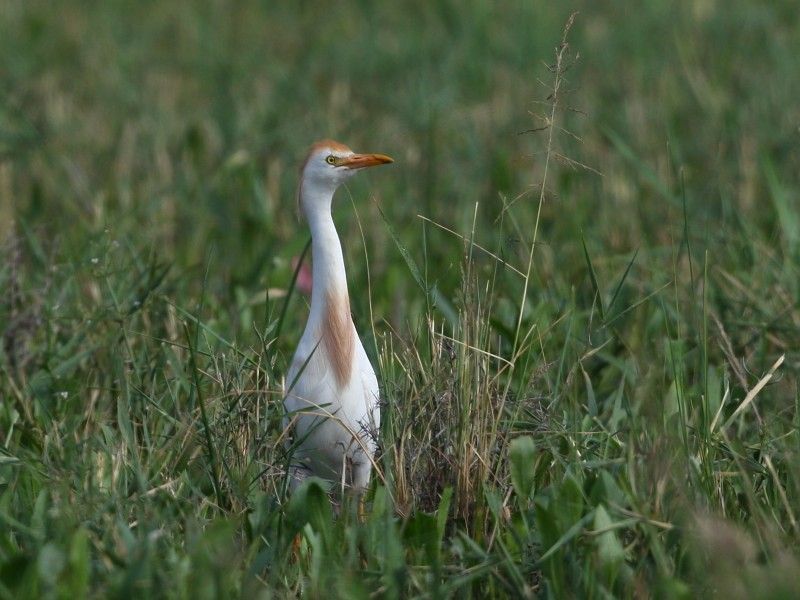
pixel 330 304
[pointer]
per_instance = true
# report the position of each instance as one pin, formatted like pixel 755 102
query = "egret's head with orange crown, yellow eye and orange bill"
pixel 329 164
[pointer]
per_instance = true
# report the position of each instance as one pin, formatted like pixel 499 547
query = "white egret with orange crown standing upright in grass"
pixel 332 393
